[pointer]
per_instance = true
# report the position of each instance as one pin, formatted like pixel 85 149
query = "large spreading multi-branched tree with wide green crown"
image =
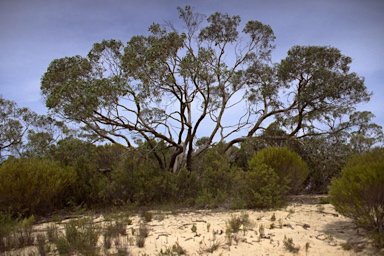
pixel 205 79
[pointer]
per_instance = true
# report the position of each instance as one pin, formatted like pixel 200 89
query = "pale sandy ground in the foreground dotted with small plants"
pixel 313 229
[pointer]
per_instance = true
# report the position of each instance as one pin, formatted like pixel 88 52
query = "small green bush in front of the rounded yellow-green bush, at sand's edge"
pixel 258 188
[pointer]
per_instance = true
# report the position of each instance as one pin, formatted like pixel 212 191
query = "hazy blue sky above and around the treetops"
pixel 35 32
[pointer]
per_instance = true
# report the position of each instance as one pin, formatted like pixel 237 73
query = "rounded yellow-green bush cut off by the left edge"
pixel 34 186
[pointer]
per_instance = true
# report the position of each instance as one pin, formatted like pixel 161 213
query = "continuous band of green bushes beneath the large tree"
pixel 75 174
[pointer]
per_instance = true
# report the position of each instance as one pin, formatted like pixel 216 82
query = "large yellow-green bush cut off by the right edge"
pixel 359 192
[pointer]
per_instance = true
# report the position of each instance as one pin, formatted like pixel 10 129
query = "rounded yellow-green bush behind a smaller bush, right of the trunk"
pixel 287 164
